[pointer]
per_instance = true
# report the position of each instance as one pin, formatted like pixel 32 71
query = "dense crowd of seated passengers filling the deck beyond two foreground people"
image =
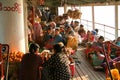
pixel 73 35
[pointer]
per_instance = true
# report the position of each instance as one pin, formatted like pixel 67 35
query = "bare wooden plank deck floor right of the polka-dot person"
pixel 84 70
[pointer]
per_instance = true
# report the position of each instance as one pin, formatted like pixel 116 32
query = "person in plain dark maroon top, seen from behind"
pixel 29 66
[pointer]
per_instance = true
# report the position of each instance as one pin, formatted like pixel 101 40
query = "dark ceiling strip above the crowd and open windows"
pixel 56 3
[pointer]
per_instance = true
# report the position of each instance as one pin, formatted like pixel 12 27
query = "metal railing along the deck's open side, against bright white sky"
pixel 107 31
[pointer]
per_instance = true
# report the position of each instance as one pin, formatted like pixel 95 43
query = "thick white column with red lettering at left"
pixel 12 31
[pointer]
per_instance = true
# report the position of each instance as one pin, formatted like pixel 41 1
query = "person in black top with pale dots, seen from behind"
pixel 57 66
